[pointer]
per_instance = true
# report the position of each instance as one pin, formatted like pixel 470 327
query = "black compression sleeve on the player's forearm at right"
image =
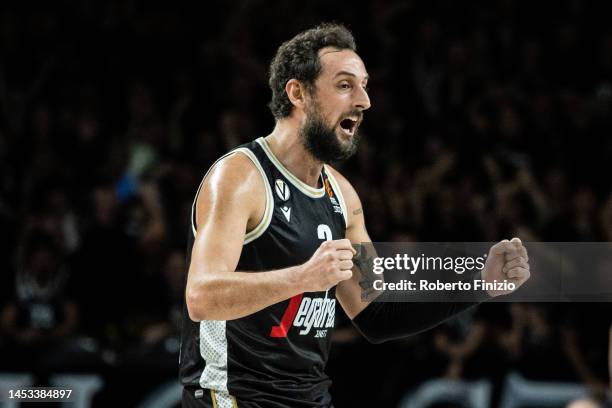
pixel 387 318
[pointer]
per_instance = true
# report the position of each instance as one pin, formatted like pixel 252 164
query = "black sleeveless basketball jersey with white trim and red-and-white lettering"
pixel 275 357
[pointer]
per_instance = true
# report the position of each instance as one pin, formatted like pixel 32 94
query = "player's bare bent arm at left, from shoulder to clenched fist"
pixel 231 202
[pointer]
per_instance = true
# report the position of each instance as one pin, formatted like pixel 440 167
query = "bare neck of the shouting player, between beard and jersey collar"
pixel 285 143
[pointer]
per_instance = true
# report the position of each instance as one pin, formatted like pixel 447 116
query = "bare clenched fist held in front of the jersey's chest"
pixel 331 263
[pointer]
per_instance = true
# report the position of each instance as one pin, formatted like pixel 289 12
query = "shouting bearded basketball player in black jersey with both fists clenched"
pixel 274 227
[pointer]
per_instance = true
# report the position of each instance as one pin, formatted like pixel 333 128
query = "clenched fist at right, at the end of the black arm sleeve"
pixel 507 260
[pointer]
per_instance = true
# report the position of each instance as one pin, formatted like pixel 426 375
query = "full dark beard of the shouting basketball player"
pixel 321 140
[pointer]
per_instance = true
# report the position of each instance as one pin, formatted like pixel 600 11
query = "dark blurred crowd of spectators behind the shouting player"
pixel 488 120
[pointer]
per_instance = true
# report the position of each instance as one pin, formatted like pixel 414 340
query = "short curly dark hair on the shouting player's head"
pixel 299 58
